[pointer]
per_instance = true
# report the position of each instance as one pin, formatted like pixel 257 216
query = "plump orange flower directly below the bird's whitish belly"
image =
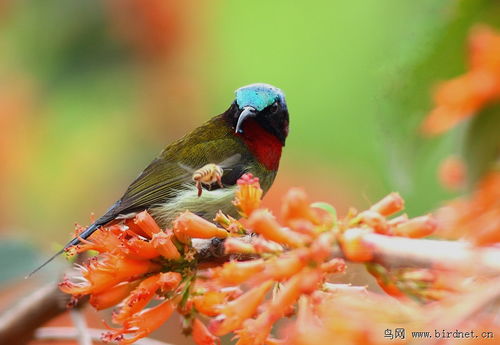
pixel 188 225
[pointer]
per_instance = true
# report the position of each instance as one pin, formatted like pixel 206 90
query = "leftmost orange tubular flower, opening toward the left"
pixel 105 272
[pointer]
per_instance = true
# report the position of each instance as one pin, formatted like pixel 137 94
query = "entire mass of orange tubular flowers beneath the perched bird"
pixel 148 272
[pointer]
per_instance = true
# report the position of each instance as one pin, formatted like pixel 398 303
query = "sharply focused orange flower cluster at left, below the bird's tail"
pixel 137 263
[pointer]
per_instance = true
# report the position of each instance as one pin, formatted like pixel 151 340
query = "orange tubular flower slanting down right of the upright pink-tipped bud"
pixel 264 223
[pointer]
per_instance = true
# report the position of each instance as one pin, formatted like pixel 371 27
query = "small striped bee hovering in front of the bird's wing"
pixel 210 173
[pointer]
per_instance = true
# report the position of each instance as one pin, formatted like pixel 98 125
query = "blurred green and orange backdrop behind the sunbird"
pixel 91 90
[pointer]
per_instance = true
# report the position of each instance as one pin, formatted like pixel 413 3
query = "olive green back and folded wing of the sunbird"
pixel 165 176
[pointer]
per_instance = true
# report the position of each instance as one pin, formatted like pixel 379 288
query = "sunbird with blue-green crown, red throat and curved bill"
pixel 246 138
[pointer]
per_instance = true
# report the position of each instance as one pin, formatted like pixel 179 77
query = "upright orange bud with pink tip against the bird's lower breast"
pixel 248 195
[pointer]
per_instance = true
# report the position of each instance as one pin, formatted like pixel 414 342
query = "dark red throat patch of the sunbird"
pixel 264 145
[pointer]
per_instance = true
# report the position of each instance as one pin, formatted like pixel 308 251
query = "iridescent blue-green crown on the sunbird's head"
pixel 258 96
